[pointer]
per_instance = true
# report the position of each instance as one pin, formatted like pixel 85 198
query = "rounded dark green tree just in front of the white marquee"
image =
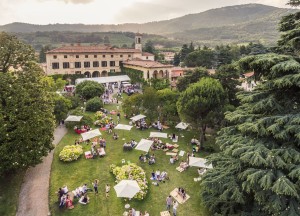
pixel 89 89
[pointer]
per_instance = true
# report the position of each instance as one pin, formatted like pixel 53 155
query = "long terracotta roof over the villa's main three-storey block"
pixel 92 49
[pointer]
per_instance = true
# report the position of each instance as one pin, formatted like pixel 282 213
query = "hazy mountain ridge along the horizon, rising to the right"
pixel 233 24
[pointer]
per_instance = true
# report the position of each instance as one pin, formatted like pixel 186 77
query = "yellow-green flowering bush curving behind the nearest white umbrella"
pixel 132 172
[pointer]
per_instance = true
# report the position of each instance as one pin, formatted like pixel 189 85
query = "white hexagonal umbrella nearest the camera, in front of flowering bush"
pixel 127 188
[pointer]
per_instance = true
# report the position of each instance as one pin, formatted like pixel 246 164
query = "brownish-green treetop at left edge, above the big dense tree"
pixel 14 53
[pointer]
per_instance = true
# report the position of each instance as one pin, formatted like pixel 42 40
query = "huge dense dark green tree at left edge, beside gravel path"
pixel 26 114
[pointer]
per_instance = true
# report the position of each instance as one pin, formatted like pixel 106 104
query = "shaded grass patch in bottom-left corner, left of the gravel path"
pixel 10 186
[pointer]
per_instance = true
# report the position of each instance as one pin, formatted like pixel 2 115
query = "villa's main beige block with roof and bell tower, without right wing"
pixel 92 61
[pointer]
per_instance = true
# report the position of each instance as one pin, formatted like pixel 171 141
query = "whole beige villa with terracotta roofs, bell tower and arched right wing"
pixel 100 60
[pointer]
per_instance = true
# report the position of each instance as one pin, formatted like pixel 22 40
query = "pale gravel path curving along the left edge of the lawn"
pixel 34 194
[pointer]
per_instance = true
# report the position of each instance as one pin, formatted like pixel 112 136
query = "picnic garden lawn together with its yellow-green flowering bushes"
pixel 111 168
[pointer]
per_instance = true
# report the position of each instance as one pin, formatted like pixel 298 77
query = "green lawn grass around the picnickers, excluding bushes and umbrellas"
pixel 74 174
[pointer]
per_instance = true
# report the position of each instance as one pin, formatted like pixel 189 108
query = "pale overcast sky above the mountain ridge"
pixel 109 11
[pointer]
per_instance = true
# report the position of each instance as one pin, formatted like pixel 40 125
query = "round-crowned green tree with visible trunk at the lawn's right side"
pixel 200 103
